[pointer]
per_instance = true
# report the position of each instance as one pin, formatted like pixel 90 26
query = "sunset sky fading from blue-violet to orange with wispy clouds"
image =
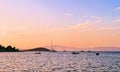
pixel 74 24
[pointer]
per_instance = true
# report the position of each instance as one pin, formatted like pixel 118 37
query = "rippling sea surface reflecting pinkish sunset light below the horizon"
pixel 59 62
